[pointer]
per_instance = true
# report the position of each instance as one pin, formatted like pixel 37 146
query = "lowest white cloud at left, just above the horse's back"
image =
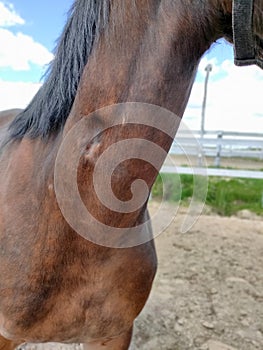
pixel 16 94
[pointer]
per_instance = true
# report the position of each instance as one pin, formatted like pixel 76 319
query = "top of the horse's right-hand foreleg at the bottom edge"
pixel 120 343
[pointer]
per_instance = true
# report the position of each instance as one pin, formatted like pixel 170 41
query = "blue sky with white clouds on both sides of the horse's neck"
pixel 28 32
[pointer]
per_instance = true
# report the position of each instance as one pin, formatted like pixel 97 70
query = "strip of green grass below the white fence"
pixel 225 196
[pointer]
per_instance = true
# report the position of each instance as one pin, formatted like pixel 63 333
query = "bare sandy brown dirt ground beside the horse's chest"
pixel 208 292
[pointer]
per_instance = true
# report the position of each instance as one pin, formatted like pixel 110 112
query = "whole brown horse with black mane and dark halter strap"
pixel 55 285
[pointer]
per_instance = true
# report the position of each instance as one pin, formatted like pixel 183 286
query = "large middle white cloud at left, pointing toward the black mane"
pixel 17 51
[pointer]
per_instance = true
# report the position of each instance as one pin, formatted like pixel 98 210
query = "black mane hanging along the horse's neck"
pixel 49 109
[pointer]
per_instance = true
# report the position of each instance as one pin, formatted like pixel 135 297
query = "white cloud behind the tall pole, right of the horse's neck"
pixel 234 102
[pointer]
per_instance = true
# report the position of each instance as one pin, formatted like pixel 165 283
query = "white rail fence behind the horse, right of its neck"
pixel 218 144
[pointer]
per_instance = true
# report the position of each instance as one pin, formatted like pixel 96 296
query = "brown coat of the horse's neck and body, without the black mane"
pixel 55 285
